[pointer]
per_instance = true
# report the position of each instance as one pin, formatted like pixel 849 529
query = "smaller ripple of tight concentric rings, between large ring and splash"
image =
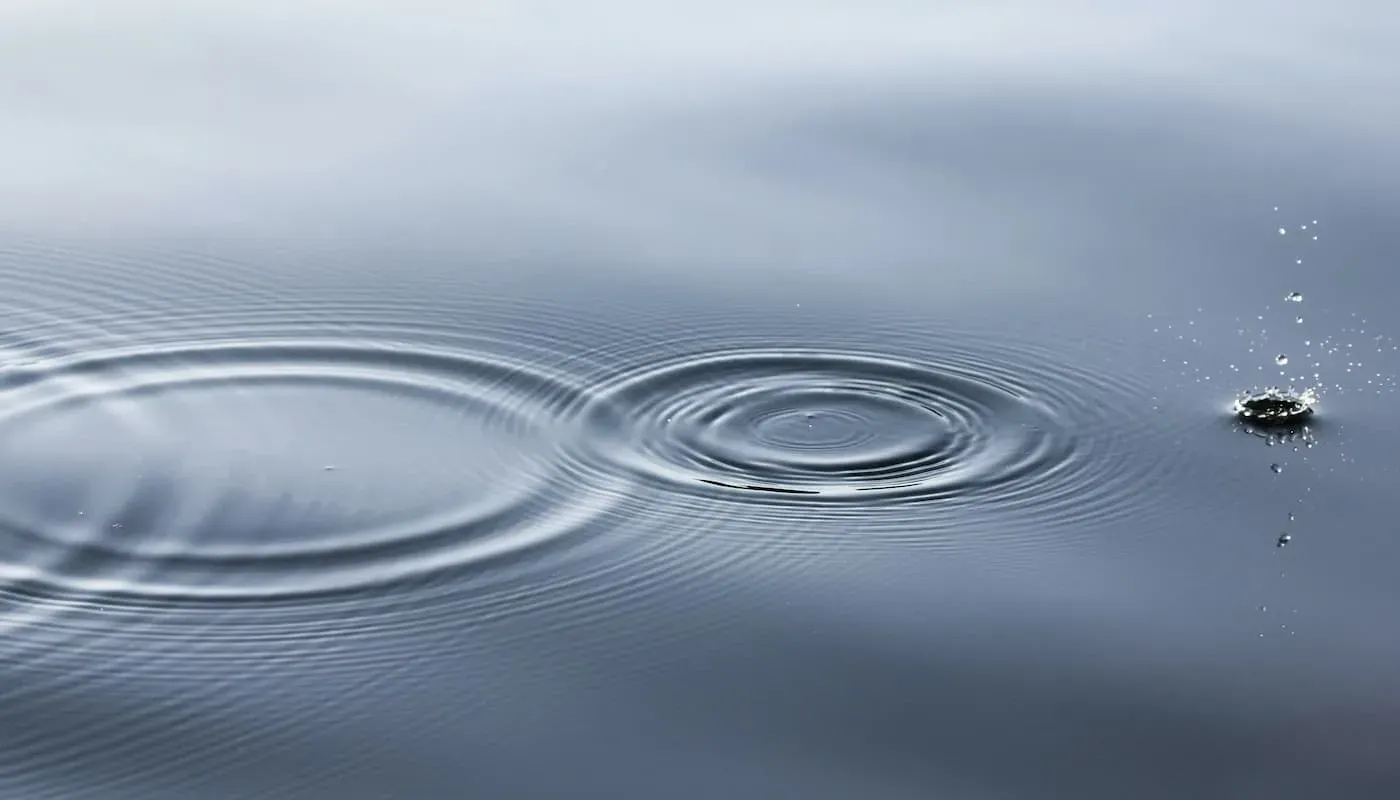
pixel 862 432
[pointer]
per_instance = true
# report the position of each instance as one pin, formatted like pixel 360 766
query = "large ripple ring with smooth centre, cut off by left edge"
pixel 264 471
